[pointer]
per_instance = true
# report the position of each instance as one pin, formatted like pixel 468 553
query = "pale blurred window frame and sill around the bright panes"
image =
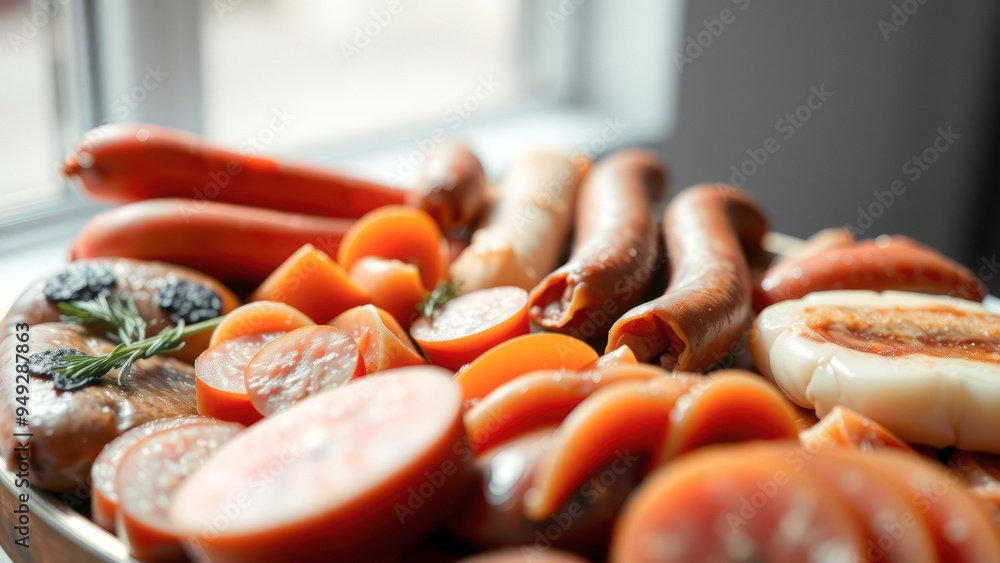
pixel 576 43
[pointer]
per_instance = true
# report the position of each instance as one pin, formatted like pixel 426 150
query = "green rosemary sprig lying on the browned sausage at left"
pixel 170 340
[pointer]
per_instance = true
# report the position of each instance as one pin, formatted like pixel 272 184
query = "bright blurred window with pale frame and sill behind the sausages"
pixel 327 80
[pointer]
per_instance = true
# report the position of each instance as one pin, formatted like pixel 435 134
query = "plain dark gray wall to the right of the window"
pixel 890 96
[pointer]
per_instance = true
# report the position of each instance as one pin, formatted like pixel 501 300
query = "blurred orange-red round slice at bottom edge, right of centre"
pixel 736 503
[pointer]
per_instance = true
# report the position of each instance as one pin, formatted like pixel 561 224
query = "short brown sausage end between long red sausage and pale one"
pixel 452 189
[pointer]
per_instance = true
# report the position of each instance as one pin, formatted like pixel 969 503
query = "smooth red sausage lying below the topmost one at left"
pixel 233 243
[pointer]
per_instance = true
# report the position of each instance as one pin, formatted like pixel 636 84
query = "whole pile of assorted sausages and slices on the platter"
pixel 414 376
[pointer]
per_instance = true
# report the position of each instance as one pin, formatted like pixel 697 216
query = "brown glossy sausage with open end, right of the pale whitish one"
pixel 615 251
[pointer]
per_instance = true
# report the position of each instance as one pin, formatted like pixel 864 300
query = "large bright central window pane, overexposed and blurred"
pixel 337 71
